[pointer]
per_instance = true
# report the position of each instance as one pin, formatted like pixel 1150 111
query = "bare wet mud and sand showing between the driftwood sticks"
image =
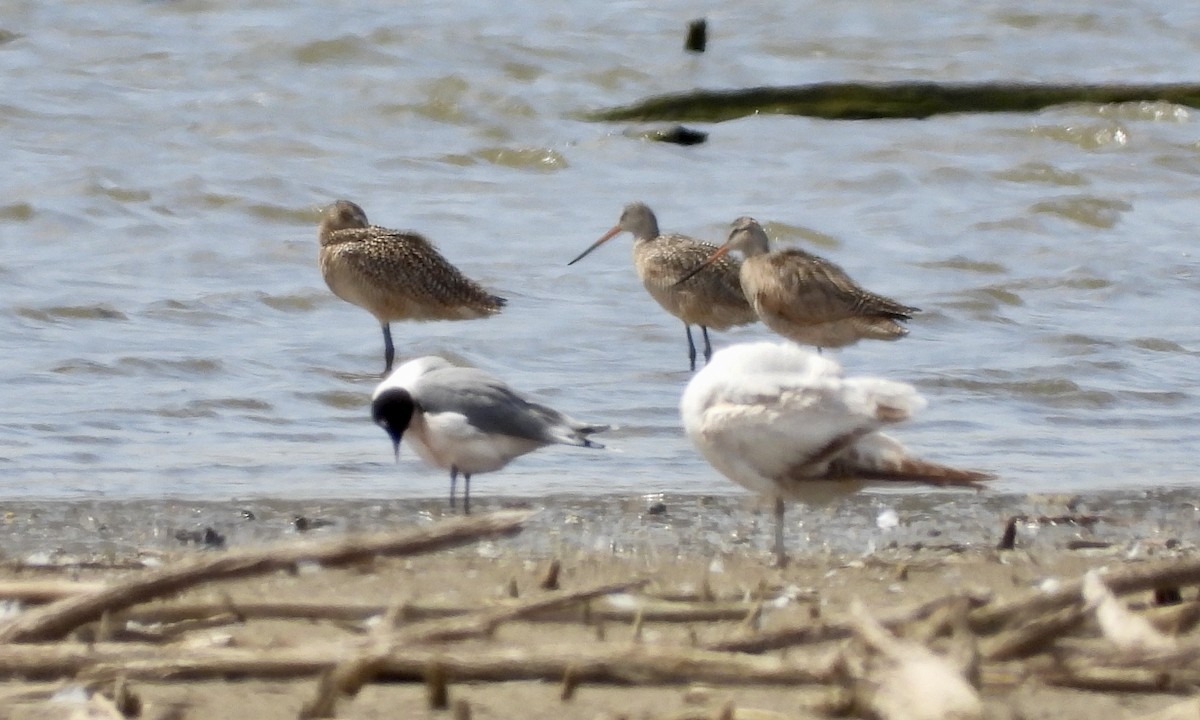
pixel 709 550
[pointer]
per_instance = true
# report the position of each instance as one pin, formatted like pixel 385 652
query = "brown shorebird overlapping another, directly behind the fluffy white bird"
pixel 807 298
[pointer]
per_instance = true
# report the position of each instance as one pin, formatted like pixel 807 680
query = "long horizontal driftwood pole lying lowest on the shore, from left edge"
pixel 603 663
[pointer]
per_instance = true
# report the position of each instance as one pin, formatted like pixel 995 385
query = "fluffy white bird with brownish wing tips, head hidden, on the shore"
pixel 782 422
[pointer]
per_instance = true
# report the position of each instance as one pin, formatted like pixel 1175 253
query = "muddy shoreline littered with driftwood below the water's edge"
pixel 698 574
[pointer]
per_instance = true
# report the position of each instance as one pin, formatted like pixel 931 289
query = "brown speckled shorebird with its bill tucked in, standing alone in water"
pixel 394 275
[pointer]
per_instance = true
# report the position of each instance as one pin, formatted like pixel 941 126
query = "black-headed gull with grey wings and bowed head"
pixel 466 421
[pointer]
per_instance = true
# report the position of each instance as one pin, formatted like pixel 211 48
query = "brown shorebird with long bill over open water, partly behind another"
pixel 713 301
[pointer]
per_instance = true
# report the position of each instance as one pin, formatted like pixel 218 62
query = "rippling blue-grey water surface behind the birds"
pixel 166 332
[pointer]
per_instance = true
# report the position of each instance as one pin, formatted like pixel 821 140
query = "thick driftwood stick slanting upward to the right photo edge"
pixel 1126 580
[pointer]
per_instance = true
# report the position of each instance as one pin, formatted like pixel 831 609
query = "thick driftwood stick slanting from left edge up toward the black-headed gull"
pixel 57 620
